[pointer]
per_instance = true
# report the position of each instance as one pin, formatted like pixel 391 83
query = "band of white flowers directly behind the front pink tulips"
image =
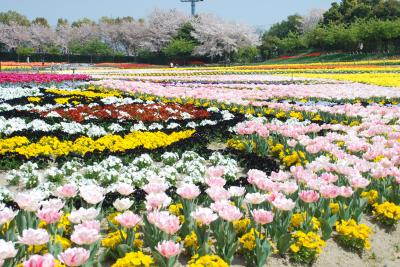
pixel 190 167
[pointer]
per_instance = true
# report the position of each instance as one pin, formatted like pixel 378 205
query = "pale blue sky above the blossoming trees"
pixel 259 13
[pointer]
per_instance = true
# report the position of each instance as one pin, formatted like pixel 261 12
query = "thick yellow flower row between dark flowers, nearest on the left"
pixel 52 146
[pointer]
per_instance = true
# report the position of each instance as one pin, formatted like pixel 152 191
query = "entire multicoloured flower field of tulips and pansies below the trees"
pixel 211 166
